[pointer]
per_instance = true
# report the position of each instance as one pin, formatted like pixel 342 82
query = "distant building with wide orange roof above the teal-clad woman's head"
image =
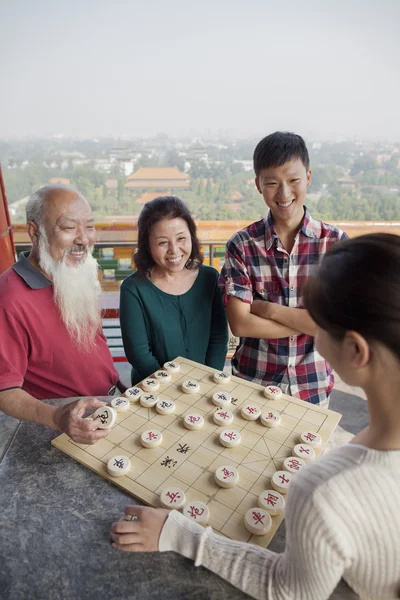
pixel 157 180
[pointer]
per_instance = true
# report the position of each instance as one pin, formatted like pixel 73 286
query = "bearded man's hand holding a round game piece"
pixel 69 418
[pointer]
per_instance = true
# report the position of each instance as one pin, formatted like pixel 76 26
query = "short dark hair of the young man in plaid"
pixel 279 148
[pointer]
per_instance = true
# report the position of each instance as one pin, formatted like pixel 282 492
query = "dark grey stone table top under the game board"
pixel 55 532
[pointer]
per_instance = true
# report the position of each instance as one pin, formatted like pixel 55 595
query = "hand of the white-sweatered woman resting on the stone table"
pixel 141 535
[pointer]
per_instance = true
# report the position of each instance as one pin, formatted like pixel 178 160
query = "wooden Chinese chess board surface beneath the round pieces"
pixel 188 459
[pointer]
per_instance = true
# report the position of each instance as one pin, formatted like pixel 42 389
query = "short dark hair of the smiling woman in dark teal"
pixel 164 207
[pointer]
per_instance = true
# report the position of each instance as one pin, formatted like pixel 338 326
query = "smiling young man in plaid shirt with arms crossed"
pixel 266 267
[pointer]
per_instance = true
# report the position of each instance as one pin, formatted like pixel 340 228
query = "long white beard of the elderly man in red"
pixel 76 293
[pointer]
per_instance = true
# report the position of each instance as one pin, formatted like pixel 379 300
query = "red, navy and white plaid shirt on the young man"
pixel 258 267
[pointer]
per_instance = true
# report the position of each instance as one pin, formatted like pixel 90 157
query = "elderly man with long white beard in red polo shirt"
pixel 51 343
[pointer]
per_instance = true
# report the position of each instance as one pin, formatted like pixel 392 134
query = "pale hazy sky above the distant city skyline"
pixel 323 68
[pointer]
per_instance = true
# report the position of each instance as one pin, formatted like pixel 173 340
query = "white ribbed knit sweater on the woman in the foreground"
pixel 342 520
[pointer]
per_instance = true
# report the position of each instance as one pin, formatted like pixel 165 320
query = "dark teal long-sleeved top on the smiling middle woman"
pixel 157 327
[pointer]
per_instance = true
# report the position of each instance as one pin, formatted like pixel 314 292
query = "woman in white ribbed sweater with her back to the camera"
pixel 342 513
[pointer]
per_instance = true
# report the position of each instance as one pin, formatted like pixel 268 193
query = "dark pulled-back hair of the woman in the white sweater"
pixel 357 288
